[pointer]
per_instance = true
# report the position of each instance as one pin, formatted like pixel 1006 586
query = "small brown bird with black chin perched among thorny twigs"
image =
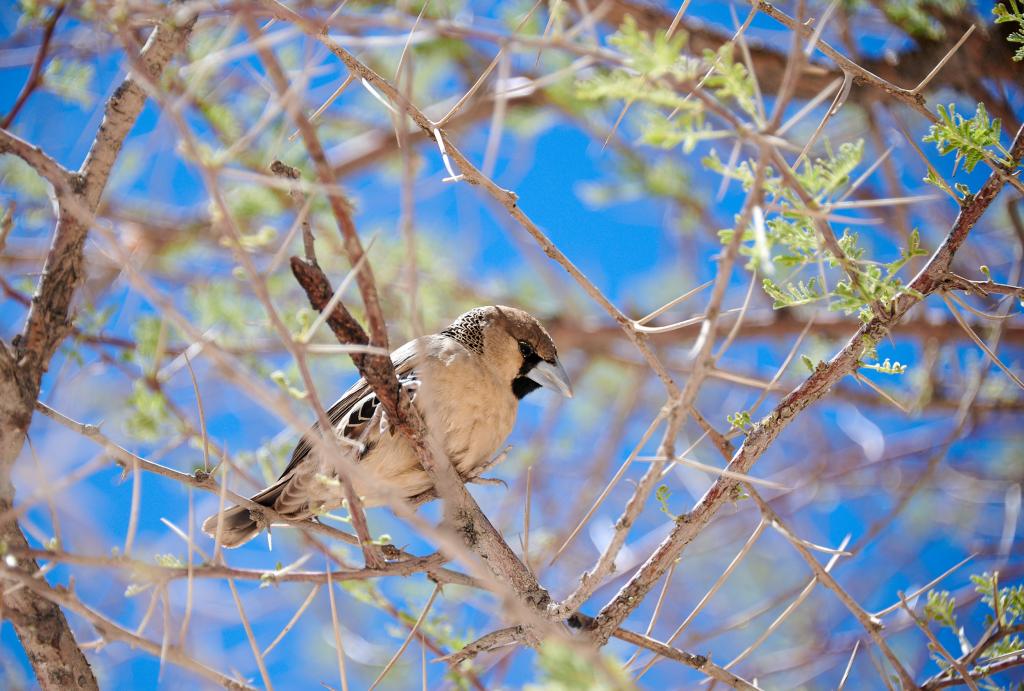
pixel 466 382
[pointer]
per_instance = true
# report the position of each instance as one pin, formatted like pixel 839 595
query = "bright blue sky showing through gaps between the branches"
pixel 636 254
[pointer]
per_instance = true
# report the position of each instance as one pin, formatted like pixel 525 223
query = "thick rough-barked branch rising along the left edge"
pixel 40 624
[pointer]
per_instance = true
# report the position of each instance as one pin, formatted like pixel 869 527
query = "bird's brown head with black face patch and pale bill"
pixel 516 345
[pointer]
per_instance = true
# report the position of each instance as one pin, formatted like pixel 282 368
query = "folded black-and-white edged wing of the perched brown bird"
pixel 353 414
